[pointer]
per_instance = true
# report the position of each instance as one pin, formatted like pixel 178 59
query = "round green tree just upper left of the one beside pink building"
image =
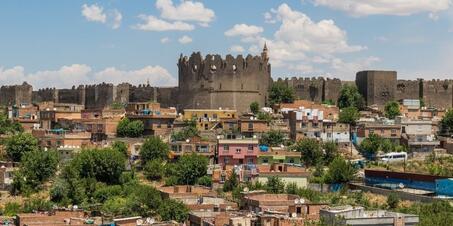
pixel 153 148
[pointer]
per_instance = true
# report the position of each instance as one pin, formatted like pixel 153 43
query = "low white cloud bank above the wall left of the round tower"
pixel 76 74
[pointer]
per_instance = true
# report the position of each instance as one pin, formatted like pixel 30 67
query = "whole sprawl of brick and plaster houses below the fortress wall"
pixel 231 142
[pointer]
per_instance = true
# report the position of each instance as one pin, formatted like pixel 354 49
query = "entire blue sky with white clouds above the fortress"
pixel 61 43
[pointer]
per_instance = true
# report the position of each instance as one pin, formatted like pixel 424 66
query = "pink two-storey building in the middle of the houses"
pixel 238 151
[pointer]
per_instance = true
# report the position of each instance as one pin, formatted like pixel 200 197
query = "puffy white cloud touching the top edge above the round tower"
pixel 186 11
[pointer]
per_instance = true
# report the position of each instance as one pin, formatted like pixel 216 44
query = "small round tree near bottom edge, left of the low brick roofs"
pixel 173 210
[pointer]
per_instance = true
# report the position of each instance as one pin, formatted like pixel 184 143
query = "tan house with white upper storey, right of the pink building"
pixel 305 123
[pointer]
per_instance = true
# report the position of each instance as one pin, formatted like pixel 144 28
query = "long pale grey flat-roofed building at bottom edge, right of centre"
pixel 355 216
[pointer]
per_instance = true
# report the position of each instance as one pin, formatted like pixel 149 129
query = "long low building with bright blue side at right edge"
pixel 394 180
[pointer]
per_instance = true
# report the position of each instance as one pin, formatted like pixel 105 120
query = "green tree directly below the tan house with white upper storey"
pixel 310 150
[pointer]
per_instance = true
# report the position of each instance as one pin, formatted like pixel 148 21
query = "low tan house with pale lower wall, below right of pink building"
pixel 286 172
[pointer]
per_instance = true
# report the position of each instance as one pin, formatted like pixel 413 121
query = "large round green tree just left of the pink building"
pixel 191 167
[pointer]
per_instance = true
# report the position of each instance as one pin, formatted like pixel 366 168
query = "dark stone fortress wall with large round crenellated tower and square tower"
pixel 233 83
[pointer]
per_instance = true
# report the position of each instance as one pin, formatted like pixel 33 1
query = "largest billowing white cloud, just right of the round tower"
pixel 302 45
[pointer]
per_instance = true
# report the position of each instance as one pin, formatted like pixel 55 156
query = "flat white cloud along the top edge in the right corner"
pixel 386 7
